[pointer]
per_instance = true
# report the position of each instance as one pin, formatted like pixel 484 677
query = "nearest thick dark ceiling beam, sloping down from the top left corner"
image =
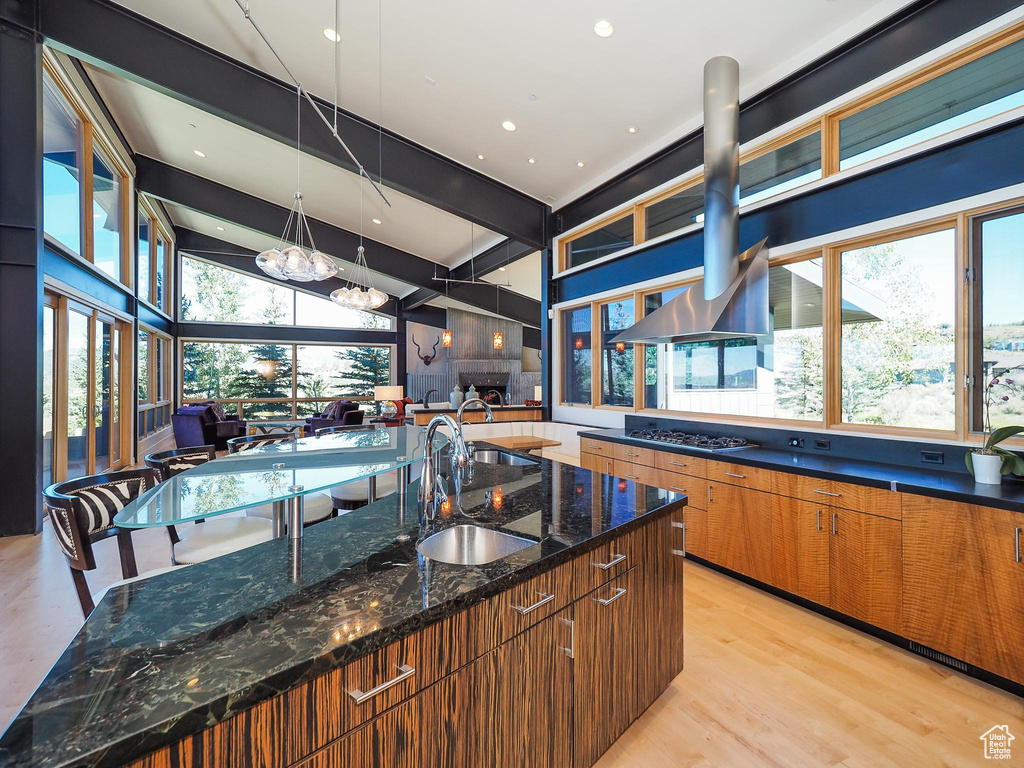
pixel 118 40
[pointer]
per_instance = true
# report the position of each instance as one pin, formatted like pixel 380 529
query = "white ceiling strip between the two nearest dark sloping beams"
pixel 161 127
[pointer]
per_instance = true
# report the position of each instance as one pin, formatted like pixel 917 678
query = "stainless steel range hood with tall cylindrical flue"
pixel 732 301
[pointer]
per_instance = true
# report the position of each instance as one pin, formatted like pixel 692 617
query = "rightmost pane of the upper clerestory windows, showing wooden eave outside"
pixel 979 90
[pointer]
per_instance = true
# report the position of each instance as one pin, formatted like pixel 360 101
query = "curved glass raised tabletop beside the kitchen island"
pixel 269 474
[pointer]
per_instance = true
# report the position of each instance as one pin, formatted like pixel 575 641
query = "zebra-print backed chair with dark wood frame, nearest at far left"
pixel 82 511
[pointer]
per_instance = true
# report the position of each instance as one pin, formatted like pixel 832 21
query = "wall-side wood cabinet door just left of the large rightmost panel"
pixel 866 570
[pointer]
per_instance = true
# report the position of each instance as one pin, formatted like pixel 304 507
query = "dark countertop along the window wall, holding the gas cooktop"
pixel 959 487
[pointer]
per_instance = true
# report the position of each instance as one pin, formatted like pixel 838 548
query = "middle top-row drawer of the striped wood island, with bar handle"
pixel 520 609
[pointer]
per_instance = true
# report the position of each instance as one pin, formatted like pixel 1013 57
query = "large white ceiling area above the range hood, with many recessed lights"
pixel 487 60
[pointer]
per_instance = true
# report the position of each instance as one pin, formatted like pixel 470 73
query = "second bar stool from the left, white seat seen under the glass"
pixel 216 537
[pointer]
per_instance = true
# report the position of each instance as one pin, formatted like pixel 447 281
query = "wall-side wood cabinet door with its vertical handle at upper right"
pixel 800 548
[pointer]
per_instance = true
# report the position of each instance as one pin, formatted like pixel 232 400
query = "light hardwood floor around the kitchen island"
pixel 766 684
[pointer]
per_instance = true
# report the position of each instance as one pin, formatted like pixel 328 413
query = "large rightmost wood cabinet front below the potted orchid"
pixel 964 583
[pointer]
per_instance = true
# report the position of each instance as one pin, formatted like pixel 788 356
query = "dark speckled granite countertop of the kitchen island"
pixel 164 659
